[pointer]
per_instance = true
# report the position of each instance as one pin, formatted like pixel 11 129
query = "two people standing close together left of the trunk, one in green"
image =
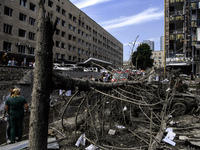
pixel 15 108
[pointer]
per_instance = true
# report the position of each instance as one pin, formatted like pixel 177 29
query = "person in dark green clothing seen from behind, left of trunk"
pixel 15 106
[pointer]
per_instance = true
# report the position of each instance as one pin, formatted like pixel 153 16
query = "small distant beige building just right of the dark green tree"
pixel 158 57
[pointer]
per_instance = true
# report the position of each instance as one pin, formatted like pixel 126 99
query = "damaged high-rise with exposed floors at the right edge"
pixel 182 34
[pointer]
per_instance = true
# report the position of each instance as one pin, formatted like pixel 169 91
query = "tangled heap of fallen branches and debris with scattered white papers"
pixel 130 117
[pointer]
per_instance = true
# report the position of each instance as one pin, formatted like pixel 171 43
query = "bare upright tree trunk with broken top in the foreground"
pixel 38 127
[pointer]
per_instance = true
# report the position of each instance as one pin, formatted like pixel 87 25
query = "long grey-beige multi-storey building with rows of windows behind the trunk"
pixel 76 39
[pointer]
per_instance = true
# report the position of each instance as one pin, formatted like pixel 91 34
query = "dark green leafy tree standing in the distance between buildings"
pixel 142 57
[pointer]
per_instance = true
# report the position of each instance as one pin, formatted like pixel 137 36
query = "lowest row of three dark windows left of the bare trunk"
pixel 7 46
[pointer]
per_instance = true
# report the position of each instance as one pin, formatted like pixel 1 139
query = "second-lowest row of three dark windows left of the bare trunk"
pixel 21 33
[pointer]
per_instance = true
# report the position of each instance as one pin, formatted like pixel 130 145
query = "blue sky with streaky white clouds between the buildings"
pixel 126 19
